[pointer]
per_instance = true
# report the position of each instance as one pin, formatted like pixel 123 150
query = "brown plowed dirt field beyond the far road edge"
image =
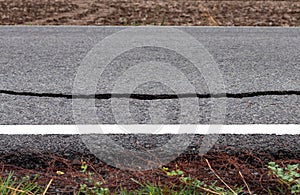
pixel 150 12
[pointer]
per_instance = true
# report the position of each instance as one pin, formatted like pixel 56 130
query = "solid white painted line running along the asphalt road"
pixel 153 129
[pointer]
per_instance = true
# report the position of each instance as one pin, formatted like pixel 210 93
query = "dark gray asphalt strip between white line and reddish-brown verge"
pixel 25 150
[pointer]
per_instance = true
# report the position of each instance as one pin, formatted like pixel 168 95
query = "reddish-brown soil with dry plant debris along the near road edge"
pixel 253 168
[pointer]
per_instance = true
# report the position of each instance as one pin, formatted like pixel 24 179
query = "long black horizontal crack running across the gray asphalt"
pixel 151 97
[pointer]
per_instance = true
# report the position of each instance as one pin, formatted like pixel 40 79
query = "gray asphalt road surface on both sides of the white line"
pixel 246 76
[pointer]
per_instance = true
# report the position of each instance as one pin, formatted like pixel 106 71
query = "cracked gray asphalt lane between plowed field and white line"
pixel 44 61
